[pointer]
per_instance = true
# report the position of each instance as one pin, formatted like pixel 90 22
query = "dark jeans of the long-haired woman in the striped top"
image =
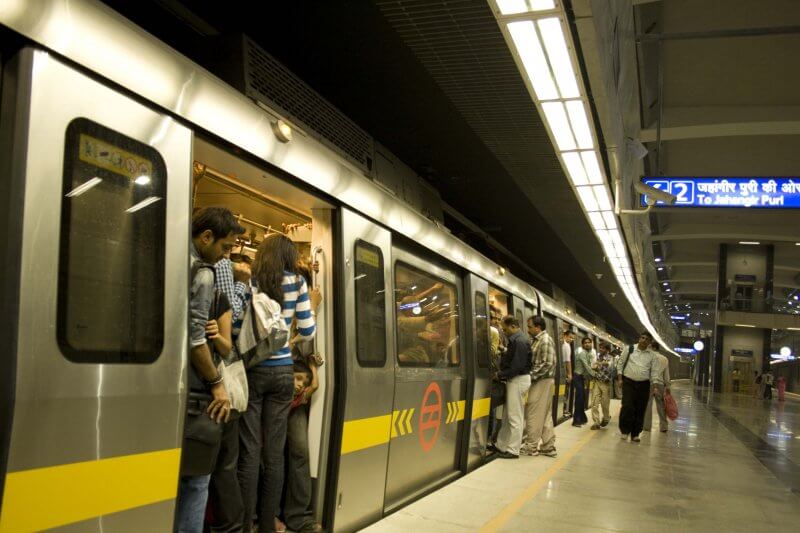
pixel 262 437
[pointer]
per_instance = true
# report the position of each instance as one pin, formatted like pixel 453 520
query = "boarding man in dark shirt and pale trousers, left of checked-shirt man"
pixel 515 368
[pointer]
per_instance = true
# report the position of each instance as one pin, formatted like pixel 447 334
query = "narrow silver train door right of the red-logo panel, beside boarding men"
pixel 478 333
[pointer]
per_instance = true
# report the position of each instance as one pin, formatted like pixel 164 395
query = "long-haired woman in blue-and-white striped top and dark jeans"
pixel 263 425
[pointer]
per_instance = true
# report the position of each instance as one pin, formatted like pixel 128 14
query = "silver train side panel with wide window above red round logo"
pixel 429 415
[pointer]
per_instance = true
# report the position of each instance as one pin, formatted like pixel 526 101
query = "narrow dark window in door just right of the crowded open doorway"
pixel 370 305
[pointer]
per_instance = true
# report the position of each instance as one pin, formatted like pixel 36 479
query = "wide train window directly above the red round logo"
pixel 427 319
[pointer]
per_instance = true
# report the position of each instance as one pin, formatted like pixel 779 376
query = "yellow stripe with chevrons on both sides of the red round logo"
pixel 363 433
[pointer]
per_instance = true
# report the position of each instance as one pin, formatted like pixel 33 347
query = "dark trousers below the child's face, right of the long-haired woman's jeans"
pixel 297 505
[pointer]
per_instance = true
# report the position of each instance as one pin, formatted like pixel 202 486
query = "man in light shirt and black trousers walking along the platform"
pixel 636 369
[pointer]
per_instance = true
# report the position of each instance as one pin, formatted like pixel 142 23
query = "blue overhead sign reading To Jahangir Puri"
pixel 780 193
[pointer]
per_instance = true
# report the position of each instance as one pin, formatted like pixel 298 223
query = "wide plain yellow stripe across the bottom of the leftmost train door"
pixel 54 496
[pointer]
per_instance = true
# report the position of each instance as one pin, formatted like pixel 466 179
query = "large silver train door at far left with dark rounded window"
pixel 95 327
